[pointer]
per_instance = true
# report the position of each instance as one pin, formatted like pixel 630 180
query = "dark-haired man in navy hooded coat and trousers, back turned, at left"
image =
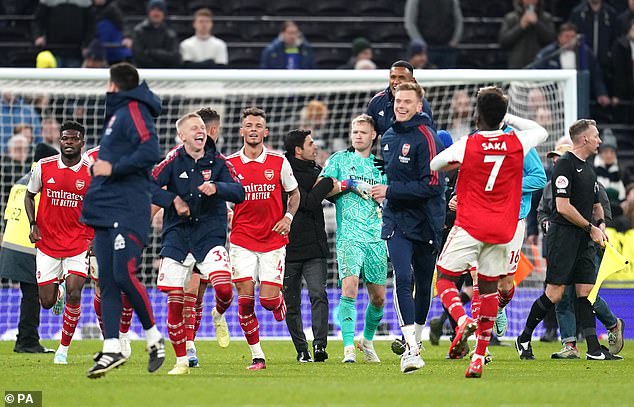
pixel 117 206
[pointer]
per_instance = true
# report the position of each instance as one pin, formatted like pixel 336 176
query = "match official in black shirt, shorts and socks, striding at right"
pixel 570 249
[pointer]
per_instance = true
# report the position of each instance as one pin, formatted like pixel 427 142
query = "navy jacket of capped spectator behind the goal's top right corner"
pixel 549 59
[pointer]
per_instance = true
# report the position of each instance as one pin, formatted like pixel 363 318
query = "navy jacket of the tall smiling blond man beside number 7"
pixel 415 194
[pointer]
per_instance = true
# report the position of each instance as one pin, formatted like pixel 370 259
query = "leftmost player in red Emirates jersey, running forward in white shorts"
pixel 60 238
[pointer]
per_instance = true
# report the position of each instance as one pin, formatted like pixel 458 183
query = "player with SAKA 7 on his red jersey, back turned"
pixel 489 193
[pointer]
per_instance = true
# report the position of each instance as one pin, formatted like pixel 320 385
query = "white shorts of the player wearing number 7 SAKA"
pixel 463 253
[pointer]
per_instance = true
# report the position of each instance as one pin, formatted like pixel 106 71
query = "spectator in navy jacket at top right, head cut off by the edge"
pixel 597 22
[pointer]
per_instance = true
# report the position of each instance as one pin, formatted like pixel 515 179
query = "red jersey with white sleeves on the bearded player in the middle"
pixel 263 179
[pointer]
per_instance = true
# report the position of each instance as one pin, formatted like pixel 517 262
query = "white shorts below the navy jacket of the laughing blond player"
pixel 174 275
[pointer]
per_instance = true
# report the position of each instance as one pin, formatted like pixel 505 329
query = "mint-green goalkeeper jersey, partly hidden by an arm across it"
pixel 358 219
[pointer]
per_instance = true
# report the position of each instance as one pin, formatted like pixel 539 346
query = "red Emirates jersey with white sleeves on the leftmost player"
pixel 62 191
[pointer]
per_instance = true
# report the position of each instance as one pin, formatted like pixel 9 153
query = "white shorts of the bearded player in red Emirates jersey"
pixel 265 267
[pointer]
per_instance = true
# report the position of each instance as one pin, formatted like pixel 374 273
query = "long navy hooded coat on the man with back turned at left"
pixel 130 144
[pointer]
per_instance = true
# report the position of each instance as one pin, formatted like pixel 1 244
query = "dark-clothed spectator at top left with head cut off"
pixel 65 27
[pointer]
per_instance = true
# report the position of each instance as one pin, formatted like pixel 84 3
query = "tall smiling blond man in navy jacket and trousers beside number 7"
pixel 414 214
